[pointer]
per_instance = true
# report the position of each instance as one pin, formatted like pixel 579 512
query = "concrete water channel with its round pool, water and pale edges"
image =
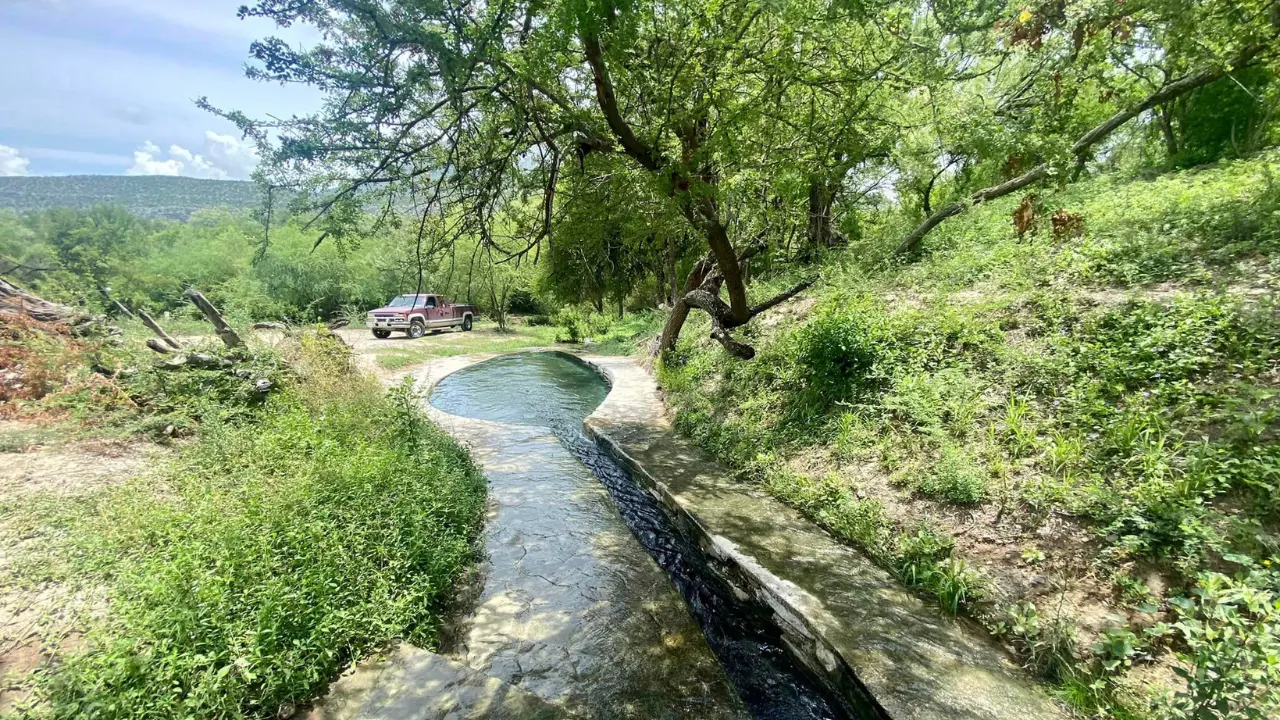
pixel 601 596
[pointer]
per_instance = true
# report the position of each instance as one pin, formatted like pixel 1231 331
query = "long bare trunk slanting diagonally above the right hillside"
pixel 1082 149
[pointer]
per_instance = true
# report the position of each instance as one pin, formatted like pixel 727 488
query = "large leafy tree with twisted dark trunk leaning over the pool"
pixel 738 113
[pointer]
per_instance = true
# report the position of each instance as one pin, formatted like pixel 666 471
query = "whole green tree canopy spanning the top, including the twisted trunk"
pixel 673 145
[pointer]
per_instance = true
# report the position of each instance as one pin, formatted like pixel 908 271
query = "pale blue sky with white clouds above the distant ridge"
pixel 108 86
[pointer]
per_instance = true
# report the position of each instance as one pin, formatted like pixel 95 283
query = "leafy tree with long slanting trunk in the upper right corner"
pixel 1141 57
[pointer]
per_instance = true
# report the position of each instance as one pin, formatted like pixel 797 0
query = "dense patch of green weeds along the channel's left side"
pixel 269 555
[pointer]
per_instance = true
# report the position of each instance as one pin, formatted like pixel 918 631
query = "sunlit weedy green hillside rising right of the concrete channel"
pixel 1069 436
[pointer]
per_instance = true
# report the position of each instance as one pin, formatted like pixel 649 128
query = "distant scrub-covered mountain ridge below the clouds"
pixel 154 197
